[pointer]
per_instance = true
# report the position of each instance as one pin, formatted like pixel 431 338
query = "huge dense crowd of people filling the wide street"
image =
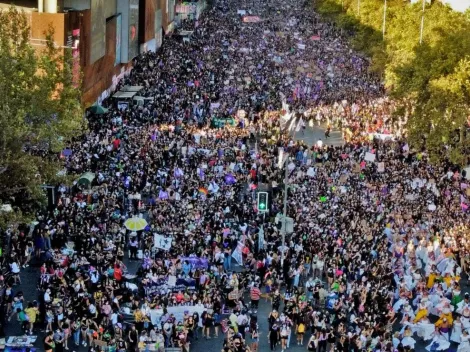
pixel 378 246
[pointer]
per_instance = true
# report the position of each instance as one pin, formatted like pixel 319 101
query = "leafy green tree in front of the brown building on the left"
pixel 40 111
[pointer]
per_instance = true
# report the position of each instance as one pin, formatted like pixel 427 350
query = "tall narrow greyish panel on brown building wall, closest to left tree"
pixel 98 31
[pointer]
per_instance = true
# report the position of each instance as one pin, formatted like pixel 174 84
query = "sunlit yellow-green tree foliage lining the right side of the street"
pixel 424 74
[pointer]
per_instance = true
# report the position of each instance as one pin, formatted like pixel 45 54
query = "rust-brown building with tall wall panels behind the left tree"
pixel 104 35
